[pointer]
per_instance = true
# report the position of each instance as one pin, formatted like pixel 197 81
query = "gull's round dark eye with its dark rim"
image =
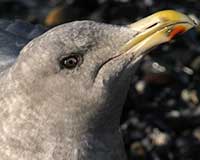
pixel 70 62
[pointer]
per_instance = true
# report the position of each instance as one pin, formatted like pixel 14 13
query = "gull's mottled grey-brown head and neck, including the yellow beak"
pixel 62 97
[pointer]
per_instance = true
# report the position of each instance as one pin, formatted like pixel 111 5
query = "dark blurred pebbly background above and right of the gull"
pixel 161 117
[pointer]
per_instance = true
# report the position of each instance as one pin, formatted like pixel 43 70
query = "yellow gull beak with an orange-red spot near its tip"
pixel 155 29
